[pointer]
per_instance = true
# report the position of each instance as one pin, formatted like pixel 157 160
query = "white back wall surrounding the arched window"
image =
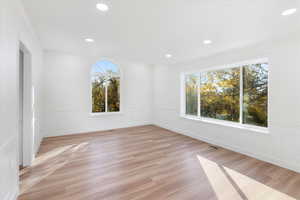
pixel 67 96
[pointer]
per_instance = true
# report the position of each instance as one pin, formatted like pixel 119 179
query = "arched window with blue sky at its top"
pixel 105 78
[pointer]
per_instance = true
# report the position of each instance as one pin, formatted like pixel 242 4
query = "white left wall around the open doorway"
pixel 14 27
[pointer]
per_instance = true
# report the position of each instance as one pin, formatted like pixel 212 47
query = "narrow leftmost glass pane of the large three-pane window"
pixel 191 94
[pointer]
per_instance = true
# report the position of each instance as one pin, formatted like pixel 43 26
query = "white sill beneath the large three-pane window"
pixel 228 124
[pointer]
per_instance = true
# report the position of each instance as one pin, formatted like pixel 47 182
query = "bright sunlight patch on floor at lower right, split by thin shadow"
pixel 230 184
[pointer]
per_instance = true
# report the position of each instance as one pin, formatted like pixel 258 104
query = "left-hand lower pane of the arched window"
pixel 98 94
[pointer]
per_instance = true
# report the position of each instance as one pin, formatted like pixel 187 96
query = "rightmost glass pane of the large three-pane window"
pixel 255 100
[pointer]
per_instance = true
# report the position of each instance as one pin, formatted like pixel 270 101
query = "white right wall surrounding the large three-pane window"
pixel 281 145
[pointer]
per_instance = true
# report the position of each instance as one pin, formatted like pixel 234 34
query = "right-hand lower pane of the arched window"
pixel 113 95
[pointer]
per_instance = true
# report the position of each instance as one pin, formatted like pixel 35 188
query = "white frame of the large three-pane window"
pixel 239 124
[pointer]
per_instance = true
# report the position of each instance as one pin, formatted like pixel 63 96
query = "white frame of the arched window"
pixel 97 114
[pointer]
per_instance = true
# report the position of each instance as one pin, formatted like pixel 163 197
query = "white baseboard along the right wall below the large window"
pixel 285 164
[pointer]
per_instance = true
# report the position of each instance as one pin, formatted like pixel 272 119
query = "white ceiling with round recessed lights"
pixel 146 30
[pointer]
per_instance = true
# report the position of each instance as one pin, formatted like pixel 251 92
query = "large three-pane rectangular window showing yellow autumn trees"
pixel 237 94
